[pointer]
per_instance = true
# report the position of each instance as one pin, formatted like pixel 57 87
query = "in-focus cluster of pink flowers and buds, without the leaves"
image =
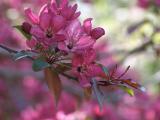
pixel 59 34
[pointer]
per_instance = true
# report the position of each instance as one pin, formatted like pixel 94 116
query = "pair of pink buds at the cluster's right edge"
pixel 95 33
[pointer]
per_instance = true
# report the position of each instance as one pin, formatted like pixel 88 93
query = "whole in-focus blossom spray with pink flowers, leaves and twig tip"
pixel 59 44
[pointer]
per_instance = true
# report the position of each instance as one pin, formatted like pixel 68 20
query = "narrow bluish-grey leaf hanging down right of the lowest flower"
pixel 98 93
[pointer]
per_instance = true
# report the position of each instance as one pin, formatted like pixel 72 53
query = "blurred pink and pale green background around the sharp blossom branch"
pixel 132 38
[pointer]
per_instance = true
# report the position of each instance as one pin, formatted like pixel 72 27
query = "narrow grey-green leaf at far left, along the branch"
pixel 23 54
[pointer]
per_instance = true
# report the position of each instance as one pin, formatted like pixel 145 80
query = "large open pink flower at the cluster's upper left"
pixel 46 26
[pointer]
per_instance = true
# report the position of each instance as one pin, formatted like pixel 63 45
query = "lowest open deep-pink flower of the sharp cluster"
pixel 84 67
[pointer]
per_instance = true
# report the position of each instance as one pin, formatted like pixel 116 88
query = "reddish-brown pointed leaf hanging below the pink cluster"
pixel 53 82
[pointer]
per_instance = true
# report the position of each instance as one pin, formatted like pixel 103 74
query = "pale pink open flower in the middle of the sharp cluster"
pixel 76 39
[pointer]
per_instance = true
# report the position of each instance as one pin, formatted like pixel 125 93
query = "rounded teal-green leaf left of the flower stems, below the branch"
pixel 39 65
